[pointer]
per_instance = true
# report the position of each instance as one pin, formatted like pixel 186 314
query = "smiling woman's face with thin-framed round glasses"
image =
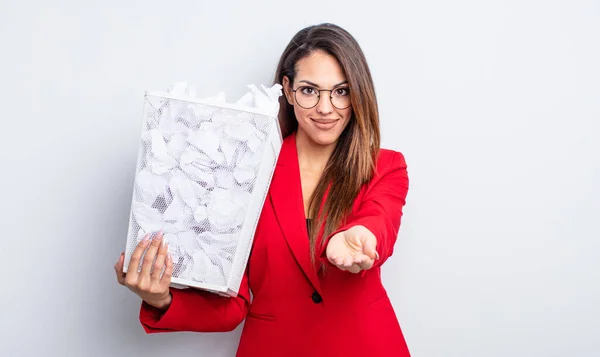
pixel 324 122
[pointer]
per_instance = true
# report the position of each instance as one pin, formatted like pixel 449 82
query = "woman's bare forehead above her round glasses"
pixel 321 69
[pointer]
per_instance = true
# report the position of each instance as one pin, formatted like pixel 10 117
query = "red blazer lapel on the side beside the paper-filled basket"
pixel 286 197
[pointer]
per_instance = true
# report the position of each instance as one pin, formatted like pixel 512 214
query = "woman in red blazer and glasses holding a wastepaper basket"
pixel 312 296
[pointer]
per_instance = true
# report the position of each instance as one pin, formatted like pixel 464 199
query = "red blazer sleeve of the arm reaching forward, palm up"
pixel 381 208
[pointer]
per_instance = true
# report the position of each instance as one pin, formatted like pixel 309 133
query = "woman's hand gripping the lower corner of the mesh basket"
pixel 148 283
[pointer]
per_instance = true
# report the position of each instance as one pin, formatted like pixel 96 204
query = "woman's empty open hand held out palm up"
pixel 353 249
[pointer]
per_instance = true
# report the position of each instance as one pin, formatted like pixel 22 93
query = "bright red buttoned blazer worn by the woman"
pixel 294 310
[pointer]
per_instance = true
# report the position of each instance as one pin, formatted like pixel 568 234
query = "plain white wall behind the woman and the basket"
pixel 496 106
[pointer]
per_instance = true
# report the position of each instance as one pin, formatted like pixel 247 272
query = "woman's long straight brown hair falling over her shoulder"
pixel 353 160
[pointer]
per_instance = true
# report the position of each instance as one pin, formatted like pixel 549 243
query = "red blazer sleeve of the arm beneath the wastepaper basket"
pixel 198 311
